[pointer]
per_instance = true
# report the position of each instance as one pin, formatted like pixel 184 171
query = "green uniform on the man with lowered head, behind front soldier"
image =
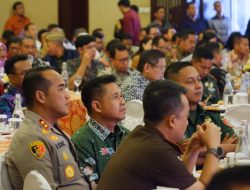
pixel 210 88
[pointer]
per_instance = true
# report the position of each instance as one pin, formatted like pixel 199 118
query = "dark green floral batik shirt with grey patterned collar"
pixel 95 145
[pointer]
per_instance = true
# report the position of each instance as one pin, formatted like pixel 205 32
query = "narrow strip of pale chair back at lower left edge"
pixel 4 175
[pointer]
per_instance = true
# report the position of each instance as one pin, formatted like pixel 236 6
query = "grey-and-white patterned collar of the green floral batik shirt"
pixel 99 130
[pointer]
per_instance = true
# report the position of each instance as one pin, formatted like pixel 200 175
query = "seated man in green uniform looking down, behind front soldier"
pixel 202 61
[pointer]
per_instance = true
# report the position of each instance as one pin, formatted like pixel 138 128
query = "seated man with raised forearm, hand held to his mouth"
pixel 84 66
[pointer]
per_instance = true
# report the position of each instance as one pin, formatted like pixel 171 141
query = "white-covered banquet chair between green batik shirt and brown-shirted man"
pixel 134 114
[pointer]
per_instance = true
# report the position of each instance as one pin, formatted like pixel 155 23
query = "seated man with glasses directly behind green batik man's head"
pixel 119 57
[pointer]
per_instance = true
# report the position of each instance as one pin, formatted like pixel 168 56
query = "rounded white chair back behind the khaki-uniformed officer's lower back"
pixel 35 181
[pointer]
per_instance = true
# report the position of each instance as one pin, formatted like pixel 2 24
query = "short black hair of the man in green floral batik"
pixel 93 89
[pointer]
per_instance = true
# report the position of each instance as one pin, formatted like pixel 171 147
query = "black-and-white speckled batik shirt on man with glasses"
pixel 134 86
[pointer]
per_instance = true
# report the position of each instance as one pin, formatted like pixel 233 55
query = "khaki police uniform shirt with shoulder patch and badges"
pixel 37 146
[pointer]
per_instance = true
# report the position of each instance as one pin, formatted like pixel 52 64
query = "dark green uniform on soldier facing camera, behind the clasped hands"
pixel 199 116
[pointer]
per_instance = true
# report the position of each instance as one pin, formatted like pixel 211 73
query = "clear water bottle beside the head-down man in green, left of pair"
pixel 228 91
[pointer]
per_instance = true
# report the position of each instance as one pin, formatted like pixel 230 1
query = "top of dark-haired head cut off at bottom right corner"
pixel 229 178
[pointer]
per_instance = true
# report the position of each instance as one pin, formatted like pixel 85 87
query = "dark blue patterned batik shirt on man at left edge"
pixel 7 103
